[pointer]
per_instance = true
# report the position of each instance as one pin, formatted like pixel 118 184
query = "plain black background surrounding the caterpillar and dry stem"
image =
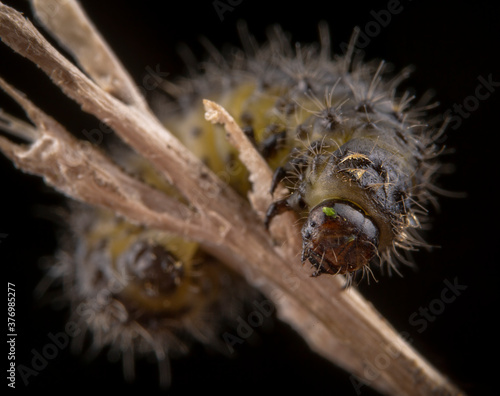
pixel 451 44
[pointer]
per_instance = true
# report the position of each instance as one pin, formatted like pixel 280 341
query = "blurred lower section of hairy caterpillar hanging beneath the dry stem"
pixel 143 293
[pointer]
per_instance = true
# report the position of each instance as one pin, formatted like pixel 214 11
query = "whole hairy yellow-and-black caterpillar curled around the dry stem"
pixel 358 159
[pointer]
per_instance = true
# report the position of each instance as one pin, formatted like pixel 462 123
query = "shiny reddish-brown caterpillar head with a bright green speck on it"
pixel 338 238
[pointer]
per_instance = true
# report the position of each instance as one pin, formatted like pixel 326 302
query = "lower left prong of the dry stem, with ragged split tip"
pixel 81 171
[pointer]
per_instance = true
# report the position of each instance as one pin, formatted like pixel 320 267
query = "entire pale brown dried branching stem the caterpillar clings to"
pixel 337 324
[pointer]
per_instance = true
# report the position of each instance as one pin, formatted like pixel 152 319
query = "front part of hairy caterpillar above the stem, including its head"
pixel 358 158
